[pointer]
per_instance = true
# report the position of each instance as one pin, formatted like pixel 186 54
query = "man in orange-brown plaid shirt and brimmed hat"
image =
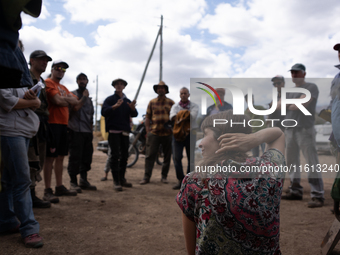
pixel 157 115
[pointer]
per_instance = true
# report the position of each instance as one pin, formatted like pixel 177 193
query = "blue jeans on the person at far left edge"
pixel 15 200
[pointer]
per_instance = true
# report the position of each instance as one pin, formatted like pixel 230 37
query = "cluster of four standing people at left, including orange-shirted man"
pixel 41 123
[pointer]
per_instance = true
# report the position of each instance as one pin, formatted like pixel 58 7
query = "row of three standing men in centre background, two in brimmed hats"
pixel 161 113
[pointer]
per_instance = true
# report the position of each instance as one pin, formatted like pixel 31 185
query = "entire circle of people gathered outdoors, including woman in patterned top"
pixel 222 212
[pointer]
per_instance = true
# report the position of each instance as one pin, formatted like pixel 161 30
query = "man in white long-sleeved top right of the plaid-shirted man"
pixel 187 141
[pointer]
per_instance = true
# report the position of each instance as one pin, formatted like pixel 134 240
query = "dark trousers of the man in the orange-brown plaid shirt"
pixel 152 146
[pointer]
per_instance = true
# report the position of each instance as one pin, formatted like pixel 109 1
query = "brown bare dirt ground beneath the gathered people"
pixel 146 219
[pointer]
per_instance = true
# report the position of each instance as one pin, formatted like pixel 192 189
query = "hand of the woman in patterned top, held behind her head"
pixel 236 142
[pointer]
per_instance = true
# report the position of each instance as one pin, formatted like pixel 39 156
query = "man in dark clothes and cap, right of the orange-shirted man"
pixel 80 134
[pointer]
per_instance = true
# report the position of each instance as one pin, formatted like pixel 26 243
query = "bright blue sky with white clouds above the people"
pixel 112 39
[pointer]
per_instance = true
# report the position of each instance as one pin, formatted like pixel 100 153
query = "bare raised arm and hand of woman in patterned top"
pixel 274 138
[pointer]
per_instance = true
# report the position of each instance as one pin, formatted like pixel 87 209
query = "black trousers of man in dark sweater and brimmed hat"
pixel 119 145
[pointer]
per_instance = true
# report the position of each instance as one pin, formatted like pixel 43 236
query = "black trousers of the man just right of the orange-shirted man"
pixel 80 154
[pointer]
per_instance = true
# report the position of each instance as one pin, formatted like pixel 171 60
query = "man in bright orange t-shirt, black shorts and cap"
pixel 59 99
